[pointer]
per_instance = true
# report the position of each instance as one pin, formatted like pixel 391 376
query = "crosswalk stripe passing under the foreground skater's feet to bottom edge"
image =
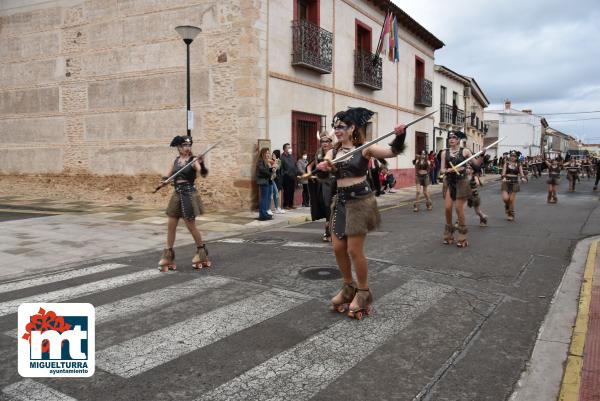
pixel 302 371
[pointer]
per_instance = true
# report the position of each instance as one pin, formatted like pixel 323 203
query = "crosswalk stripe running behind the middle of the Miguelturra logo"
pixel 128 307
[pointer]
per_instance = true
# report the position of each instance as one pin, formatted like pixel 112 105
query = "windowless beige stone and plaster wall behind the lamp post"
pixel 97 88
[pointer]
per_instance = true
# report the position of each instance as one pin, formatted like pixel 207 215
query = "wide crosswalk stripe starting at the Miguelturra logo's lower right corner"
pixel 143 353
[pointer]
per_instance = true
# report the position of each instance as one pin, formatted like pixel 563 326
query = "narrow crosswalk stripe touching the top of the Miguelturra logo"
pixel 8 307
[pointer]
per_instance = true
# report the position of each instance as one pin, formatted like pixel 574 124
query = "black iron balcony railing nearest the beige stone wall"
pixel 312 46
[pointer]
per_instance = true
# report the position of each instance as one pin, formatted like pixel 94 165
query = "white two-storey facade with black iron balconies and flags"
pixel 332 45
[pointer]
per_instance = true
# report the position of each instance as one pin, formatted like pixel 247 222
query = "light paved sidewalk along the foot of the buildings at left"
pixel 68 233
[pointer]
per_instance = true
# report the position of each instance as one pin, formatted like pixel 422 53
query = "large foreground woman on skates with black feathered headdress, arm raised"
pixel 354 208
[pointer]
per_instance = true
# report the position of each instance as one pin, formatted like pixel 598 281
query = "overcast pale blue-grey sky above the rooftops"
pixel 541 54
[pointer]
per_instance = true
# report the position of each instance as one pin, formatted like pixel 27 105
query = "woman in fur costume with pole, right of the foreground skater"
pixel 456 189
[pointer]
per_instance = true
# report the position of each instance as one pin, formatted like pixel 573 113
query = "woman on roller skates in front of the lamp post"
pixel 184 203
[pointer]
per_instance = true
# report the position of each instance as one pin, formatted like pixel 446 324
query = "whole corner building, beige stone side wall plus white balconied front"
pixel 96 88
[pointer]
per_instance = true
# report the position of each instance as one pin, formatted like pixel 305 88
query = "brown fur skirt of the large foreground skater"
pixel 354 211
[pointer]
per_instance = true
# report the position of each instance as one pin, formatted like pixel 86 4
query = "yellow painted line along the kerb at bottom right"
pixel 569 390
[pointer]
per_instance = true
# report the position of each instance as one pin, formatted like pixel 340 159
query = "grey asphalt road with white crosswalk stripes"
pixel 449 323
